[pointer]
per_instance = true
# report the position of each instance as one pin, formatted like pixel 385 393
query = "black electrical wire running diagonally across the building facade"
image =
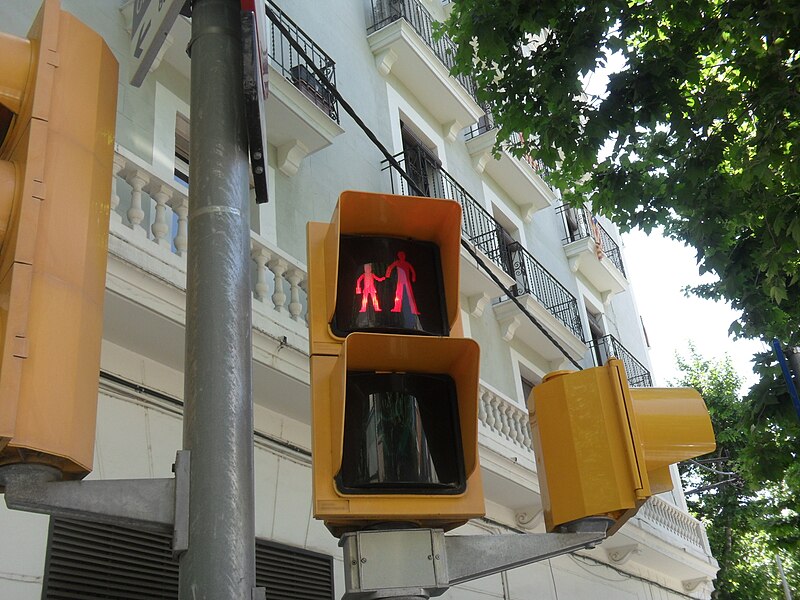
pixel 398 167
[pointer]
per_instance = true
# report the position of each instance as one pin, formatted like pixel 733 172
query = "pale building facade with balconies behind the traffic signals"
pixel 564 265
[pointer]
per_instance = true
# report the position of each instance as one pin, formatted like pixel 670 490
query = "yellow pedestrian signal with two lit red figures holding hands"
pixel 394 398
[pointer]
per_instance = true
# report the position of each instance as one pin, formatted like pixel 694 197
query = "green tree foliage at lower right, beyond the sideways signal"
pixel 744 492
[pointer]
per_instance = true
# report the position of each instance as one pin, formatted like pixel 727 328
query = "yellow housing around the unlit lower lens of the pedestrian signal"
pixel 343 511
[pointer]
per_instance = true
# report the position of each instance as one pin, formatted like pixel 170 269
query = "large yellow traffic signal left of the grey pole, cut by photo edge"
pixel 58 90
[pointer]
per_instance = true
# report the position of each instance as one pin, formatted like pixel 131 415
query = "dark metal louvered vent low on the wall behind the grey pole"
pixel 94 561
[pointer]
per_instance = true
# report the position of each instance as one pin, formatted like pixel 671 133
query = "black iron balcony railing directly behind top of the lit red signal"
pixel 429 179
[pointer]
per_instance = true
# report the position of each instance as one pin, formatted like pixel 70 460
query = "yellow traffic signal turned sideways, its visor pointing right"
pixel 602 448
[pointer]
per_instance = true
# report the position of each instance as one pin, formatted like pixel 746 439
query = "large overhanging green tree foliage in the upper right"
pixel 698 133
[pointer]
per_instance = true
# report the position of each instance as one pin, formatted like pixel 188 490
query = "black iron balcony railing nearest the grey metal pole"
pixel 295 68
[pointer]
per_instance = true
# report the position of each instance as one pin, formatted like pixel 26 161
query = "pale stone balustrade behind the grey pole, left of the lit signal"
pixel 152 214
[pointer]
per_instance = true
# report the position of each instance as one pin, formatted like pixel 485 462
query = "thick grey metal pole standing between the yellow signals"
pixel 218 415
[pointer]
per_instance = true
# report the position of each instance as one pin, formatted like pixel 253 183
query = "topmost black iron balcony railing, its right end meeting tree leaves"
pixel 386 12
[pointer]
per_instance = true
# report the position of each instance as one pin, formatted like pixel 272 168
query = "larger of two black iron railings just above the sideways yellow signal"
pixel 532 278
